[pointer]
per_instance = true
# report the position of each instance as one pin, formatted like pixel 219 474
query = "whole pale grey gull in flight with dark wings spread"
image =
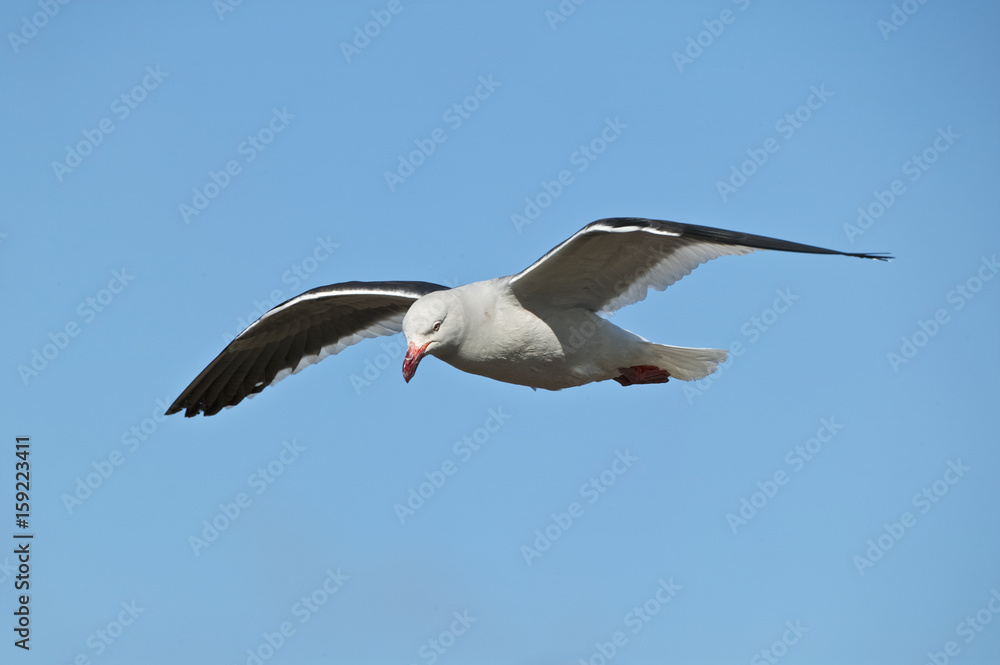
pixel 542 327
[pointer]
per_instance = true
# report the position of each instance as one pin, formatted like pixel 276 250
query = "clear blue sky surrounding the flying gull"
pixel 829 496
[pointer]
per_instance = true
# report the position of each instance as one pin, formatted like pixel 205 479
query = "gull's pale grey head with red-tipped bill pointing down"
pixel 431 326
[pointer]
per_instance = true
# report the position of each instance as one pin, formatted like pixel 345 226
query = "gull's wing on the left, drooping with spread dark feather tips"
pixel 295 334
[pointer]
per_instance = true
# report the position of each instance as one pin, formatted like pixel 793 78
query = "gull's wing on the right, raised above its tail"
pixel 611 263
